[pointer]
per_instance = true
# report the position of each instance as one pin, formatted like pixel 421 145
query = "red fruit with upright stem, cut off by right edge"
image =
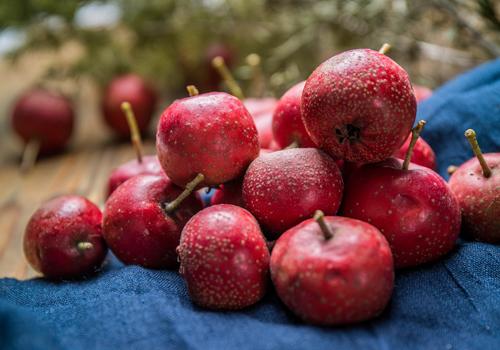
pixel 479 198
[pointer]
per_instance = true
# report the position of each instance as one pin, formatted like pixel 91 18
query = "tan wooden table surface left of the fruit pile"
pixel 82 169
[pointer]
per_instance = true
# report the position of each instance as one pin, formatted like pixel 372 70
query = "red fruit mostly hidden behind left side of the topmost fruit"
pixel 287 119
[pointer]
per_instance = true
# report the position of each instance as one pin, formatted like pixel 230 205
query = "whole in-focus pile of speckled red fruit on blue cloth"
pixel 275 213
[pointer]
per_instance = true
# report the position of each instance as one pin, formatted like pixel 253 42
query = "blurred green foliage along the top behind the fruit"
pixel 166 40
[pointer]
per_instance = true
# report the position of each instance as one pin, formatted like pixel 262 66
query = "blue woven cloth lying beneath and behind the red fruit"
pixel 450 304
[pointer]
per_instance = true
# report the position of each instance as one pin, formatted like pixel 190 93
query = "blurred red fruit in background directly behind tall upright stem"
pixel 138 92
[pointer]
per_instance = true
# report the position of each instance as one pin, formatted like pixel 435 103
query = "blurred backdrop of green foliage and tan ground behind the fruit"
pixel 77 47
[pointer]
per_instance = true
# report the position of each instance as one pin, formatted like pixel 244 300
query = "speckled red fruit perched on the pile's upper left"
pixel 211 133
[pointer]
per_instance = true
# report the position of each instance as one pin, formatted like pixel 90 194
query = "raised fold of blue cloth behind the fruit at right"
pixel 470 101
